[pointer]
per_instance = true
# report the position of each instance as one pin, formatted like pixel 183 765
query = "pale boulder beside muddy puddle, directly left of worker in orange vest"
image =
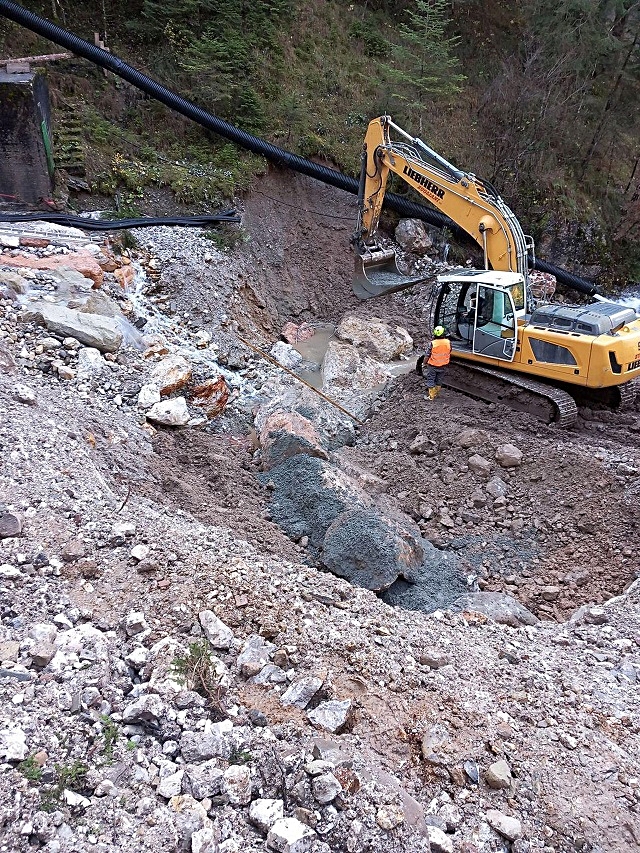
pixel 353 379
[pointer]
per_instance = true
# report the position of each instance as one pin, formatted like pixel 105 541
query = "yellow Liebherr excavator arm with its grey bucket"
pixel 473 204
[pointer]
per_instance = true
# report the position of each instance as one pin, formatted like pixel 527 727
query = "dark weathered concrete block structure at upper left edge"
pixel 26 162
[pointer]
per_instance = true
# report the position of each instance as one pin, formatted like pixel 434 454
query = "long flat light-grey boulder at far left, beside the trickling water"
pixel 92 330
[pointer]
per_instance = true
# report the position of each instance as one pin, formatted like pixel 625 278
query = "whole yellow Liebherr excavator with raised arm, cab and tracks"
pixel 506 346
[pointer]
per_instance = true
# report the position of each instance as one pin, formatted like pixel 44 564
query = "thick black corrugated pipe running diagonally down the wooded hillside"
pixel 276 155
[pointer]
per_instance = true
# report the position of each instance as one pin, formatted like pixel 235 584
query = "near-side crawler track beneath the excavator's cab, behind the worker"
pixel 545 402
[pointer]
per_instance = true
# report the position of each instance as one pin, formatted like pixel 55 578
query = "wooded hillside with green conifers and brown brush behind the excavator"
pixel 541 99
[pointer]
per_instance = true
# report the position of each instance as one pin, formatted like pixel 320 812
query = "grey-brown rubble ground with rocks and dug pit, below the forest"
pixel 236 617
